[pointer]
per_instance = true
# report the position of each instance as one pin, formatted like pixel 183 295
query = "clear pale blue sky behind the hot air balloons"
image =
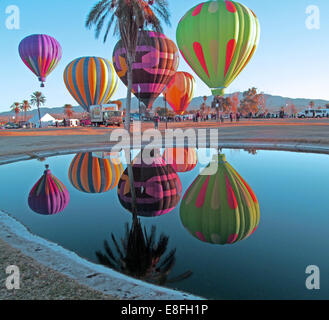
pixel 291 60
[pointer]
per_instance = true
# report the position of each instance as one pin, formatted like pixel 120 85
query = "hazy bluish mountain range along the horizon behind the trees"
pixel 272 102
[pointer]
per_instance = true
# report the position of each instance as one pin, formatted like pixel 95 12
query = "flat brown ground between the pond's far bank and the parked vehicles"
pixel 15 142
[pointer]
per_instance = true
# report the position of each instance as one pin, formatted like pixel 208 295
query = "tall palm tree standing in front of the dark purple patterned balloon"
pixel 127 17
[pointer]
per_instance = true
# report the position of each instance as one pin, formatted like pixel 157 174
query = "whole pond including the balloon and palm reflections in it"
pixel 218 241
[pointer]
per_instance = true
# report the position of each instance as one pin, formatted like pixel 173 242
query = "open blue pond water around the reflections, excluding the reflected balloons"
pixel 292 191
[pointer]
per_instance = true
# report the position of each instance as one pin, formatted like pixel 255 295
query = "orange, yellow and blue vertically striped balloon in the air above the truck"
pixel 91 81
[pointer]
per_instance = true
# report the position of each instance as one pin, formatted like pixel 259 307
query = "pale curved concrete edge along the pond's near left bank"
pixel 94 276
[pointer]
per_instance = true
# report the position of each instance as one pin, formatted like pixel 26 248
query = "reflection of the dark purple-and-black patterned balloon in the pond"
pixel 157 187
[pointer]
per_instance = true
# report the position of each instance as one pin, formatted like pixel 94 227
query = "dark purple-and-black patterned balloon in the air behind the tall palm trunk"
pixel 156 62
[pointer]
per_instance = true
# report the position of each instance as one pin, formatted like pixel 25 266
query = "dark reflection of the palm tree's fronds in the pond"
pixel 141 256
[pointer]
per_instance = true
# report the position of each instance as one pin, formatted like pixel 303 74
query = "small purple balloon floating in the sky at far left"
pixel 41 54
